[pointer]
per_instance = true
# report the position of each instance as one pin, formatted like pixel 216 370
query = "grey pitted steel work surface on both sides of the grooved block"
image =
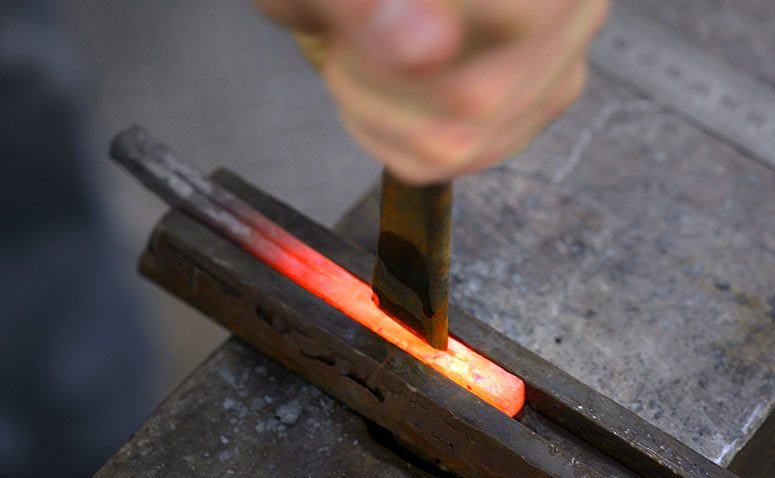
pixel 626 246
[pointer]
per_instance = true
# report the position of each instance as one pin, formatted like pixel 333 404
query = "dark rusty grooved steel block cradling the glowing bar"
pixel 565 429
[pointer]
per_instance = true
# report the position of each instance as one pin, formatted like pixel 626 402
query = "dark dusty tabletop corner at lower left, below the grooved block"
pixel 242 414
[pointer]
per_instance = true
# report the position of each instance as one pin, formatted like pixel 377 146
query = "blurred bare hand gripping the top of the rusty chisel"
pixel 440 88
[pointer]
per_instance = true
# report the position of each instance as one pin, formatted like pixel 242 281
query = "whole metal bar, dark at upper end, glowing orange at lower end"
pixel 183 186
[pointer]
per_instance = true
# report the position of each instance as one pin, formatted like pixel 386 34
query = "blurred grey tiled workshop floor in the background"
pixel 223 87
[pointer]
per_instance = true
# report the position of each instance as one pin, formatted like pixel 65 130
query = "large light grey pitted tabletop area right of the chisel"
pixel 636 252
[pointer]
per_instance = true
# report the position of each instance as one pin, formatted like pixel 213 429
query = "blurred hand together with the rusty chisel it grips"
pixel 436 89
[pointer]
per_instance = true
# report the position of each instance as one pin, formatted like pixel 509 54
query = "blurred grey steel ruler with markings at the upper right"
pixel 728 102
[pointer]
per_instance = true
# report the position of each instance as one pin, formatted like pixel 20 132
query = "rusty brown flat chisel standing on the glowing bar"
pixel 411 273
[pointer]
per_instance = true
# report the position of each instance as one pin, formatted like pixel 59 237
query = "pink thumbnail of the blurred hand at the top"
pixel 404 32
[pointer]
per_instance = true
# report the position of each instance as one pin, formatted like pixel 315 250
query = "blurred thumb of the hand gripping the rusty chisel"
pixel 400 34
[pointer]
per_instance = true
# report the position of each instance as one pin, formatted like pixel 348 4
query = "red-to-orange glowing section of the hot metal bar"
pixel 345 292
